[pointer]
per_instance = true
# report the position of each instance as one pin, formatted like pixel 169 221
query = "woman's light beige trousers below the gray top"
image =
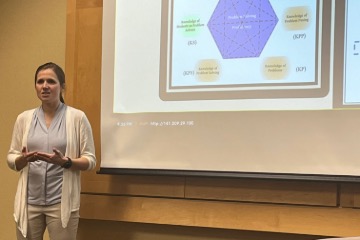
pixel 42 217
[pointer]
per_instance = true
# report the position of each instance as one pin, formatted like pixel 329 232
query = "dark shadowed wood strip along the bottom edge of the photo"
pixel 109 230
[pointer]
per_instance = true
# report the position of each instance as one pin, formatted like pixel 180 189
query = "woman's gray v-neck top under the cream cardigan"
pixel 45 179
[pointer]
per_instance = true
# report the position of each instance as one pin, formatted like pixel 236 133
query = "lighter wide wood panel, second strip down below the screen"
pixel 325 221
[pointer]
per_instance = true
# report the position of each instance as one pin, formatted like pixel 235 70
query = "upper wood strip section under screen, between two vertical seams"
pixel 270 191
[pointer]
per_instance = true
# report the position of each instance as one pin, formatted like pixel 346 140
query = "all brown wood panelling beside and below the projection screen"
pixel 153 207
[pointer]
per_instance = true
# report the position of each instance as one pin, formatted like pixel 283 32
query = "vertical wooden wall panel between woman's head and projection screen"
pixel 87 75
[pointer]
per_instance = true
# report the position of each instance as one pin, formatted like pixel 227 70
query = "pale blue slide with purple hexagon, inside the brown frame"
pixel 242 44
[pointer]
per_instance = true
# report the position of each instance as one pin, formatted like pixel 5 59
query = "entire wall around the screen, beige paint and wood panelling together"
pixel 145 207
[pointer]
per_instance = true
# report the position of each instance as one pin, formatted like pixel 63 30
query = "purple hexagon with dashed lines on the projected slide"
pixel 241 28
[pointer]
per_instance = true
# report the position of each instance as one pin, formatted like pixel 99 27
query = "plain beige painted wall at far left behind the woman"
pixel 31 33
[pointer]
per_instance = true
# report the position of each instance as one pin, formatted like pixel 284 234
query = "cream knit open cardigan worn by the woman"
pixel 80 143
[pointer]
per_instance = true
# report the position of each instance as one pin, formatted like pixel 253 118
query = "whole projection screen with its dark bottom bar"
pixel 231 88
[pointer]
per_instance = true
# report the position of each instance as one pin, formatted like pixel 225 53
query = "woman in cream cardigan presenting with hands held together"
pixel 50 145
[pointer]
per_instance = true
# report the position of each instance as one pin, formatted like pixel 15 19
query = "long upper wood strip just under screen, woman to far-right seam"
pixel 246 190
